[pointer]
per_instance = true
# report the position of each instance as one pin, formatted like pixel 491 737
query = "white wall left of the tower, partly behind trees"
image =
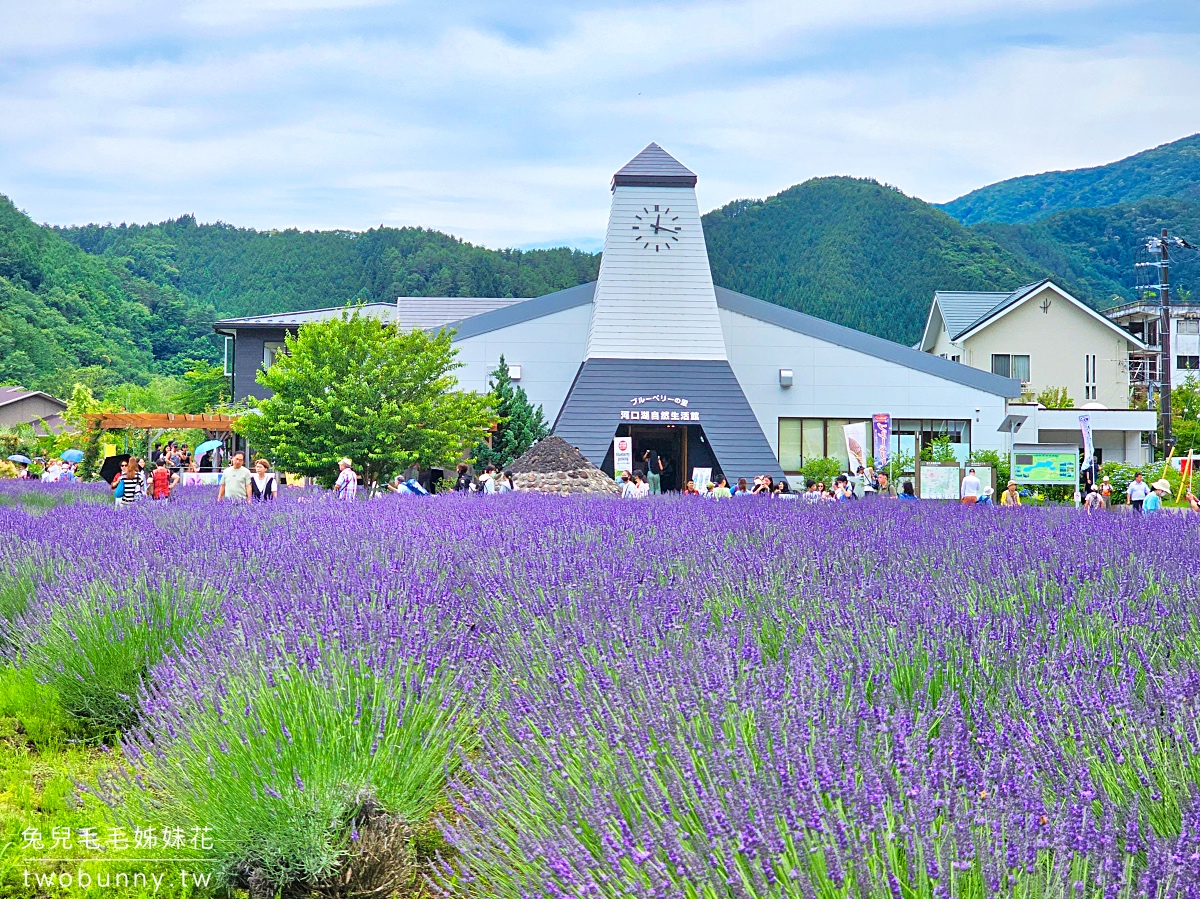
pixel 549 351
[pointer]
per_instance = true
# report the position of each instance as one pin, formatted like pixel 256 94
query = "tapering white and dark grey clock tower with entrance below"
pixel 656 369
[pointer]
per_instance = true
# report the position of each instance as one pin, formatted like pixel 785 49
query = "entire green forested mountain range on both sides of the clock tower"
pixel 105 304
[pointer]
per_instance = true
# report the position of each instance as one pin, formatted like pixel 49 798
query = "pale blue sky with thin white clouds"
pixel 503 122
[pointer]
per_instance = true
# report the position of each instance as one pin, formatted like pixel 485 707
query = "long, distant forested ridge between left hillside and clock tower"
pixel 244 272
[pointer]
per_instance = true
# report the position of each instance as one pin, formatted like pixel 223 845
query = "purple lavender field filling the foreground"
pixel 535 698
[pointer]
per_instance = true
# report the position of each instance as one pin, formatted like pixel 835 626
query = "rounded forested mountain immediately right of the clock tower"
pixel 856 253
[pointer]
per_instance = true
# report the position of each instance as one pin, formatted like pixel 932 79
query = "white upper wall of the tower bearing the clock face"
pixel 655 304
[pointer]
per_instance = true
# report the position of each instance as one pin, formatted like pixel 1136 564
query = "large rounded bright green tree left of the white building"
pixel 356 387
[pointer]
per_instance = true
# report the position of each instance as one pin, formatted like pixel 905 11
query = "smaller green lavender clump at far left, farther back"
pixel 95 649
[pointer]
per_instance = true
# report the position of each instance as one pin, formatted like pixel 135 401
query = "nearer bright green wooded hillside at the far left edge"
pixel 69 317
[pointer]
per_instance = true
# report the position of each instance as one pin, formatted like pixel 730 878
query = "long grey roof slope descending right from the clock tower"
pixel 867 344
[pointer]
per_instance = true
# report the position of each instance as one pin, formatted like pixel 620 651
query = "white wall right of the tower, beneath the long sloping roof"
pixel 836 382
